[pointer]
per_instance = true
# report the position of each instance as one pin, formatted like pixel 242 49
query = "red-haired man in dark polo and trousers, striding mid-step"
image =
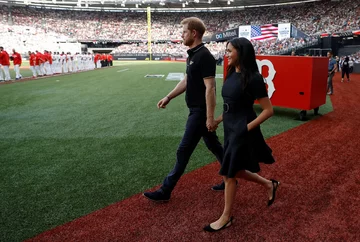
pixel 199 85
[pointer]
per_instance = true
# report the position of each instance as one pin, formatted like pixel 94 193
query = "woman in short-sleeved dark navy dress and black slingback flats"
pixel 244 145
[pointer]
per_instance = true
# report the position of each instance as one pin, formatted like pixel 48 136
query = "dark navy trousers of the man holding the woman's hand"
pixel 195 129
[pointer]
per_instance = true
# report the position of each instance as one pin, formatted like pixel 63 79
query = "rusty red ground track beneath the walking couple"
pixel 318 165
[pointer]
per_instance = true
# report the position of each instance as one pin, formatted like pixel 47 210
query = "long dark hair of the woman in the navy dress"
pixel 246 59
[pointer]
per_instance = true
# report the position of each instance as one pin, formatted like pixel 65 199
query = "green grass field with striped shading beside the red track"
pixel 74 144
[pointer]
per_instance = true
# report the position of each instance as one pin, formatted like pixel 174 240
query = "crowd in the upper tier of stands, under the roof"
pixel 311 18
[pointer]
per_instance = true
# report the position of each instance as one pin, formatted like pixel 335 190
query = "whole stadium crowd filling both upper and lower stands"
pixel 25 28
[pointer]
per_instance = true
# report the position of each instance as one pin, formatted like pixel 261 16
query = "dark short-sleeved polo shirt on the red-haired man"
pixel 199 65
